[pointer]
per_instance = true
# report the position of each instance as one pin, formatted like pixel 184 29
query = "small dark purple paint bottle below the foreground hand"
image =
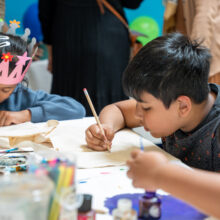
pixel 149 206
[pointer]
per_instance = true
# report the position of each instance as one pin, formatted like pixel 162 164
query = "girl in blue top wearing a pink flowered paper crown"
pixel 19 104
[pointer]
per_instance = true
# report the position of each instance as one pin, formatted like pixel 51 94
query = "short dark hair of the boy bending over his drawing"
pixel 168 67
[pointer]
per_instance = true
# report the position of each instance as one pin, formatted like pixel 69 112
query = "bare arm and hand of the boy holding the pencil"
pixel 113 118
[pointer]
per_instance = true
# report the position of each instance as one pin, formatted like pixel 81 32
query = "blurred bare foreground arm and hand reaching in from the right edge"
pixel 198 188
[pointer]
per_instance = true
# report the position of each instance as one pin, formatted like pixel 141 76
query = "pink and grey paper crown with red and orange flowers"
pixel 18 73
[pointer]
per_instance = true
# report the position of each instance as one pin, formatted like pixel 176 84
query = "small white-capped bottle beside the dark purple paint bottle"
pixel 124 210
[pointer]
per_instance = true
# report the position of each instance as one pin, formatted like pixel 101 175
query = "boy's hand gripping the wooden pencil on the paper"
pixel 96 140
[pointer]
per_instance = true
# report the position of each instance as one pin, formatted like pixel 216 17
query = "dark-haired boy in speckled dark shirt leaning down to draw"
pixel 168 79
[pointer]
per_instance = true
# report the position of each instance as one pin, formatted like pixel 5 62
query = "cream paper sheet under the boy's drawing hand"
pixel 70 139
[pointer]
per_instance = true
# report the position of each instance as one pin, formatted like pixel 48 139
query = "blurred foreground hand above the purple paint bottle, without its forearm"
pixel 144 168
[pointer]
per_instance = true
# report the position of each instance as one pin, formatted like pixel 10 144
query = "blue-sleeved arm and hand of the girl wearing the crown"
pixel 37 106
